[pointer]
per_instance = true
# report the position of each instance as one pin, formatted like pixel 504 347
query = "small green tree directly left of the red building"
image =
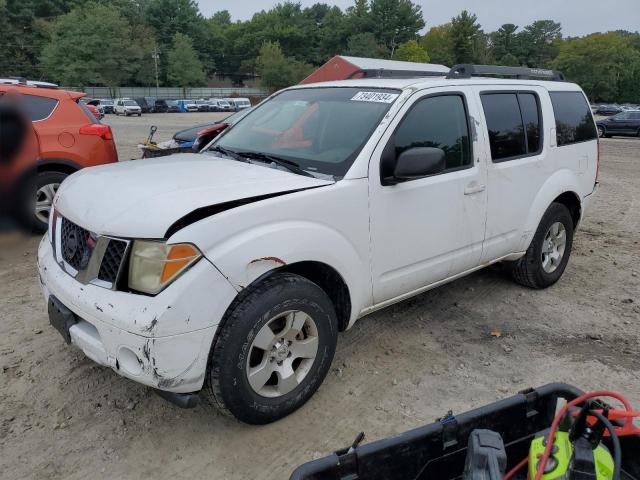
pixel 276 70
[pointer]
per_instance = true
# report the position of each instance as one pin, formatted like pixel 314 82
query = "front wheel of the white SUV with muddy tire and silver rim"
pixel 274 349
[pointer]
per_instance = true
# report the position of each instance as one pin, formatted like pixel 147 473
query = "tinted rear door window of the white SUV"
pixel 513 122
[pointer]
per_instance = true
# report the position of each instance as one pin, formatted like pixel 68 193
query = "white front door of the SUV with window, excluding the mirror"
pixel 428 229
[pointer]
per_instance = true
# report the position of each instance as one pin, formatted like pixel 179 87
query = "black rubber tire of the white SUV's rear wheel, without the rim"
pixel 528 270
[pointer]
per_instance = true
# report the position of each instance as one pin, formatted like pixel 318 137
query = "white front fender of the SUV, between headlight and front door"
pixel 329 225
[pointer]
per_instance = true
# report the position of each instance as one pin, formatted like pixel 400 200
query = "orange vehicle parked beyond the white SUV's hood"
pixel 66 136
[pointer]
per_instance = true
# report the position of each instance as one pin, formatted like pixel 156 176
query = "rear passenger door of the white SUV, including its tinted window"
pixel 516 166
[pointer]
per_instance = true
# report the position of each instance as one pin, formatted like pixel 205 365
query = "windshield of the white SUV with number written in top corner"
pixel 320 129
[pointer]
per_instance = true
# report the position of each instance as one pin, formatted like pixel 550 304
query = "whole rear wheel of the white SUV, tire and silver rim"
pixel 549 252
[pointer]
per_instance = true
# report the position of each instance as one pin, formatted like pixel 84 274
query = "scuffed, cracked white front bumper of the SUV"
pixel 160 341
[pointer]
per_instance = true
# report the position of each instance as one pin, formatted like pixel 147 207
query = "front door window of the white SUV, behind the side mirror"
pixel 439 122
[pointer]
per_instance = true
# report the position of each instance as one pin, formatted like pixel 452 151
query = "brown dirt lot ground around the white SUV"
pixel 64 417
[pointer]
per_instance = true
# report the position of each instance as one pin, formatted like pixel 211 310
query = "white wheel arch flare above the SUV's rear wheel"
pixel 560 182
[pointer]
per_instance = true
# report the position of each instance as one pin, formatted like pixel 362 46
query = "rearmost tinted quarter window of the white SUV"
pixel 574 122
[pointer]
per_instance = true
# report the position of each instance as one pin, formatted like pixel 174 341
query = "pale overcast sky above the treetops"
pixel 578 17
